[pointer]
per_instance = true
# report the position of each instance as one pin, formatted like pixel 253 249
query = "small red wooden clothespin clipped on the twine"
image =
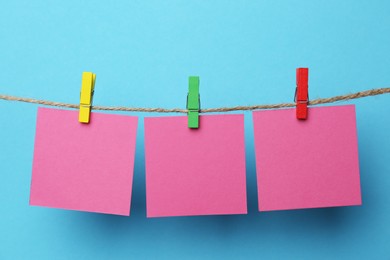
pixel 302 93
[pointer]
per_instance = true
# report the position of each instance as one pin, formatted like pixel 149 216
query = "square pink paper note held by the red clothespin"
pixel 307 163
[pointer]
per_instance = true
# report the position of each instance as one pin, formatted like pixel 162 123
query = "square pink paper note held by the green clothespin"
pixel 195 171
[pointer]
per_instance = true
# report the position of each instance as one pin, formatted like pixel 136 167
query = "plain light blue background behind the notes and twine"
pixel 245 53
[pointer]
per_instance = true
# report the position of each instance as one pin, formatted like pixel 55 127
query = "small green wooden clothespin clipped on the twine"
pixel 193 102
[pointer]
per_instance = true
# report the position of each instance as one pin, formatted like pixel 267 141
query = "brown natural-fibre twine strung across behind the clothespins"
pixel 366 93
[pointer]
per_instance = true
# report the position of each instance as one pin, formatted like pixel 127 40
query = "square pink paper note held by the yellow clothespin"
pixel 86 167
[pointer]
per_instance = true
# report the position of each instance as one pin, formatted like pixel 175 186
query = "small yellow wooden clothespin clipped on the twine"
pixel 87 89
